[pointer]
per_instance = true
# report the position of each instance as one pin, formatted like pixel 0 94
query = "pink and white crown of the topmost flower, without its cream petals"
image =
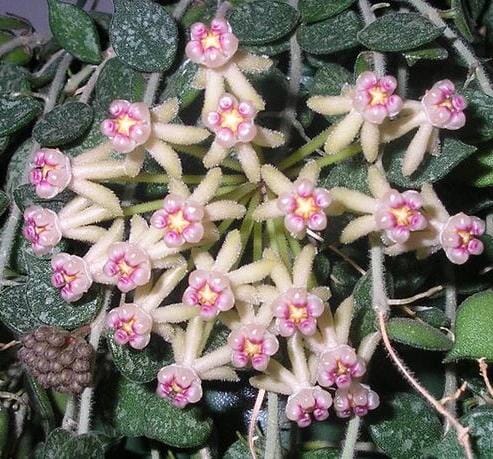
pixel 211 46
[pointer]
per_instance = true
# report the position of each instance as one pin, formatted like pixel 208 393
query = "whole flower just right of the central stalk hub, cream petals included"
pixel 302 204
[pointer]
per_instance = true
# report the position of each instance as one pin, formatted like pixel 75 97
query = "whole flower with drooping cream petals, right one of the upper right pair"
pixel 440 108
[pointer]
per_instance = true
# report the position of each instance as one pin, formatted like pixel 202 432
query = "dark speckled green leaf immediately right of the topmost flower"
pixel 332 35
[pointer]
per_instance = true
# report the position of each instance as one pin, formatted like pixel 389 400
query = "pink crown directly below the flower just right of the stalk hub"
pixel 297 310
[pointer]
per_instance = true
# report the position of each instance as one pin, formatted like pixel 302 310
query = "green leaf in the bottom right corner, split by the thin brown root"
pixel 480 423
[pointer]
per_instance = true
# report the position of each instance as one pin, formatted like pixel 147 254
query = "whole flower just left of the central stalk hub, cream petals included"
pixel 187 218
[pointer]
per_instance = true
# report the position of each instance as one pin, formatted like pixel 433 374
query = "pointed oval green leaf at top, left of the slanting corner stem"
pixel 398 32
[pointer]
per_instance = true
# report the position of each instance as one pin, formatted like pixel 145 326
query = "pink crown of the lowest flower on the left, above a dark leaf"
pixel 179 384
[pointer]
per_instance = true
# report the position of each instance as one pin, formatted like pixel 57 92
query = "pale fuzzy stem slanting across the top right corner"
pixel 458 43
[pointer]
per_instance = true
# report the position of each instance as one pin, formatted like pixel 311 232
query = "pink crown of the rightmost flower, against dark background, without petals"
pixel 460 237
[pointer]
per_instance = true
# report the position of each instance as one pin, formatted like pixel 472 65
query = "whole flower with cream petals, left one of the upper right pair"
pixel 367 105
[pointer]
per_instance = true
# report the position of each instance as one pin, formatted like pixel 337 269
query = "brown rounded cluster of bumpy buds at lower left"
pixel 58 359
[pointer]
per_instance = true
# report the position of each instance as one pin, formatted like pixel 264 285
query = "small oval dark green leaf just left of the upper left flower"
pixel 64 124
